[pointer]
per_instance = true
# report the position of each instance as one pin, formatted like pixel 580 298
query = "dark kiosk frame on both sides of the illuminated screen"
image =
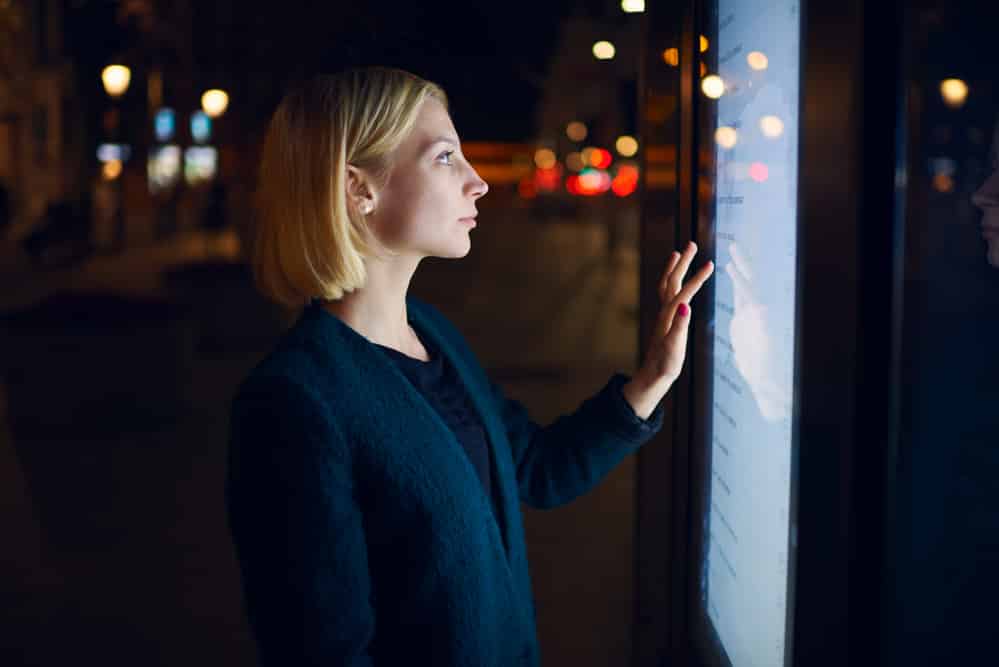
pixel 849 312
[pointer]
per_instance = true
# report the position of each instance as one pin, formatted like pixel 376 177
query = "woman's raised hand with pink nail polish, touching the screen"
pixel 668 345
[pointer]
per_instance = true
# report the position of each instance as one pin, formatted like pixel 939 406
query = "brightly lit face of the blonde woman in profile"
pixel 427 208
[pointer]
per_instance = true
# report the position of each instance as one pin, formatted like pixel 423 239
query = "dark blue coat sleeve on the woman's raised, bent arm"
pixel 559 462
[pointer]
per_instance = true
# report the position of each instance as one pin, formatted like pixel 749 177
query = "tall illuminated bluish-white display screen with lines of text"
pixel 748 534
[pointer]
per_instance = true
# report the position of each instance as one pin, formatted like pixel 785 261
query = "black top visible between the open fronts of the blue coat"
pixel 440 385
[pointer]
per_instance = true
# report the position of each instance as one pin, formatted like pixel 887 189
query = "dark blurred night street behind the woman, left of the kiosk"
pixel 127 314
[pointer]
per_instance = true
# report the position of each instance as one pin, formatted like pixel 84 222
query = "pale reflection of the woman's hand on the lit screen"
pixel 753 344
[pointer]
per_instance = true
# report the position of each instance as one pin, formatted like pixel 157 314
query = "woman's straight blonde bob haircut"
pixel 309 241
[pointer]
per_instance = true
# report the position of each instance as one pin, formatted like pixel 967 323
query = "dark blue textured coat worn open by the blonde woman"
pixel 363 534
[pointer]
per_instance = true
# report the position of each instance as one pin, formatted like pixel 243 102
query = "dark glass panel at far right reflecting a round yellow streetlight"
pixel 948 501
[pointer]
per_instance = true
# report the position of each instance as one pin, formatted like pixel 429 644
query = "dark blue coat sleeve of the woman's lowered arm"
pixel 297 530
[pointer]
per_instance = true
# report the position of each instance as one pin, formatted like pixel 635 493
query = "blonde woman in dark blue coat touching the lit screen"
pixel 375 472
